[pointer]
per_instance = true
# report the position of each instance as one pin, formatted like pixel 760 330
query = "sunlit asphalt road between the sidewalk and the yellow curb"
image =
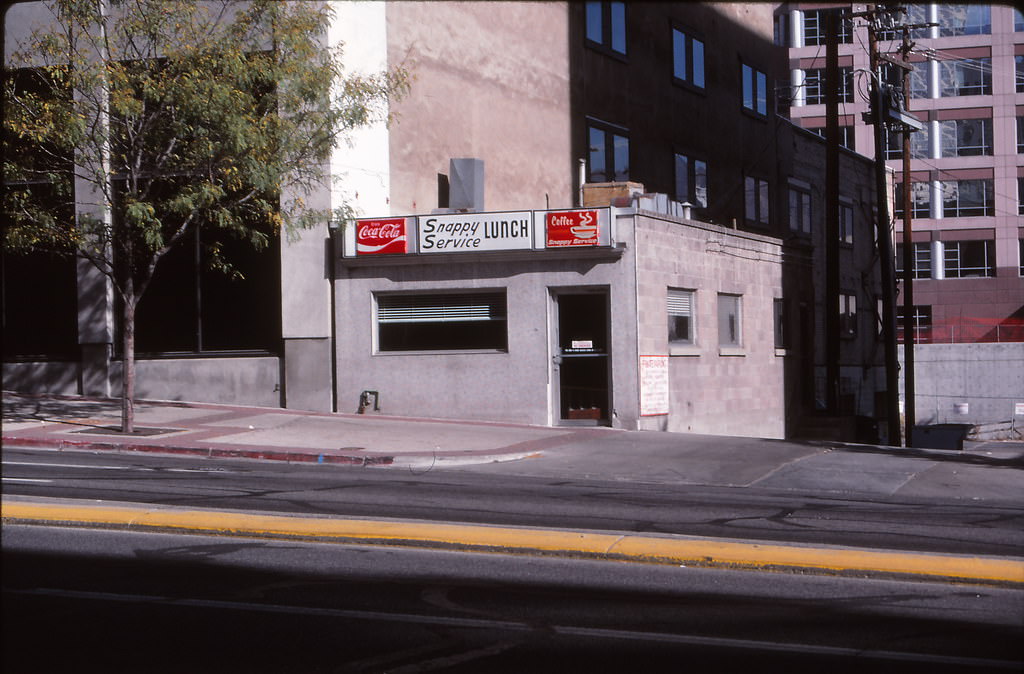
pixel 918 524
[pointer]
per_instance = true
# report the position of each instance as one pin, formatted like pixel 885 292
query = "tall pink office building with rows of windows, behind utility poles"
pixel 967 177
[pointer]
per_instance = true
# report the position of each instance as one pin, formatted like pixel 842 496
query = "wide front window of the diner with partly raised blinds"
pixel 443 322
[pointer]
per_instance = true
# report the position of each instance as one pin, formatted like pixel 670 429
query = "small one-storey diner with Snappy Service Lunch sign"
pixel 614 316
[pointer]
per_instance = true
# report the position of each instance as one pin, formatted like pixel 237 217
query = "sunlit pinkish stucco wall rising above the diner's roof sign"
pixel 491 81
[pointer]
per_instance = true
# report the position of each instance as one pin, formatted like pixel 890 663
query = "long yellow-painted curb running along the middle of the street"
pixel 674 550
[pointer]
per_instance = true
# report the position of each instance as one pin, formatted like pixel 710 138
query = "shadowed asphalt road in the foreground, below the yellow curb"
pixel 78 600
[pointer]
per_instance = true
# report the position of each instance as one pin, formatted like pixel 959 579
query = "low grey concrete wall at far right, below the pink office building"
pixel 990 378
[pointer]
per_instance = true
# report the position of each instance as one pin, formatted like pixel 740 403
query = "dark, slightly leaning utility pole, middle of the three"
pixel 884 229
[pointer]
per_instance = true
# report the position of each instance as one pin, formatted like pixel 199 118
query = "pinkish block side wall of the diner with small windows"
pixel 714 391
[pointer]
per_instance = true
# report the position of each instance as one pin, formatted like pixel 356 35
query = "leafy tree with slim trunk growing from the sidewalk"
pixel 130 123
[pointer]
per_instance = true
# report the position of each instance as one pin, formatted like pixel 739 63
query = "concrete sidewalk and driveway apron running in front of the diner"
pixel 984 472
